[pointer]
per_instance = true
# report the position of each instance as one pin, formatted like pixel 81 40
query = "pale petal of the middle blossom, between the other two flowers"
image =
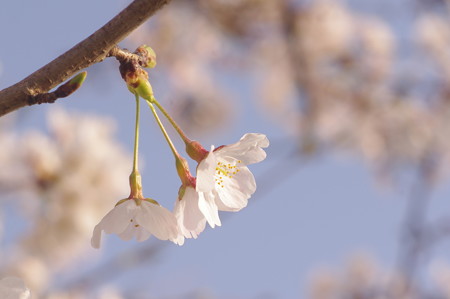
pixel 190 219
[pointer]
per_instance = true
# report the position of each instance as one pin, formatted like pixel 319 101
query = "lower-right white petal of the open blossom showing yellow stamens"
pixel 237 190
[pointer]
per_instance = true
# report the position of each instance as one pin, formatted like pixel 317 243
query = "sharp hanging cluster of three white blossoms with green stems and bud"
pixel 223 181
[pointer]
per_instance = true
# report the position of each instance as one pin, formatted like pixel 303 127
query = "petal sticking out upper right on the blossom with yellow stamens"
pixel 248 150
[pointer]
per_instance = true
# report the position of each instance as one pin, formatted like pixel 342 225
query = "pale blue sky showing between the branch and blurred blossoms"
pixel 317 216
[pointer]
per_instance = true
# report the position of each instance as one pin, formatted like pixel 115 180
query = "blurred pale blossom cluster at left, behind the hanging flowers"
pixel 52 180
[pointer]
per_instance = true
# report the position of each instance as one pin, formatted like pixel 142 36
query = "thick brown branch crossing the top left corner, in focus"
pixel 86 53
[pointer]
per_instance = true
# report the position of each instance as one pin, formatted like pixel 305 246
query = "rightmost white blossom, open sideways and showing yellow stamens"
pixel 223 180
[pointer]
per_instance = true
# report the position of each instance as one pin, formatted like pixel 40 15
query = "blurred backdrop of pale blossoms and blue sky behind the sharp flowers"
pixel 352 200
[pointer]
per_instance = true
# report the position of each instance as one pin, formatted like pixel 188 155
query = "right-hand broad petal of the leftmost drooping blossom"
pixel 159 221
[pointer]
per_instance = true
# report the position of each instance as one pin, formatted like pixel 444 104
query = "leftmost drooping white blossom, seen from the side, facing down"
pixel 140 218
